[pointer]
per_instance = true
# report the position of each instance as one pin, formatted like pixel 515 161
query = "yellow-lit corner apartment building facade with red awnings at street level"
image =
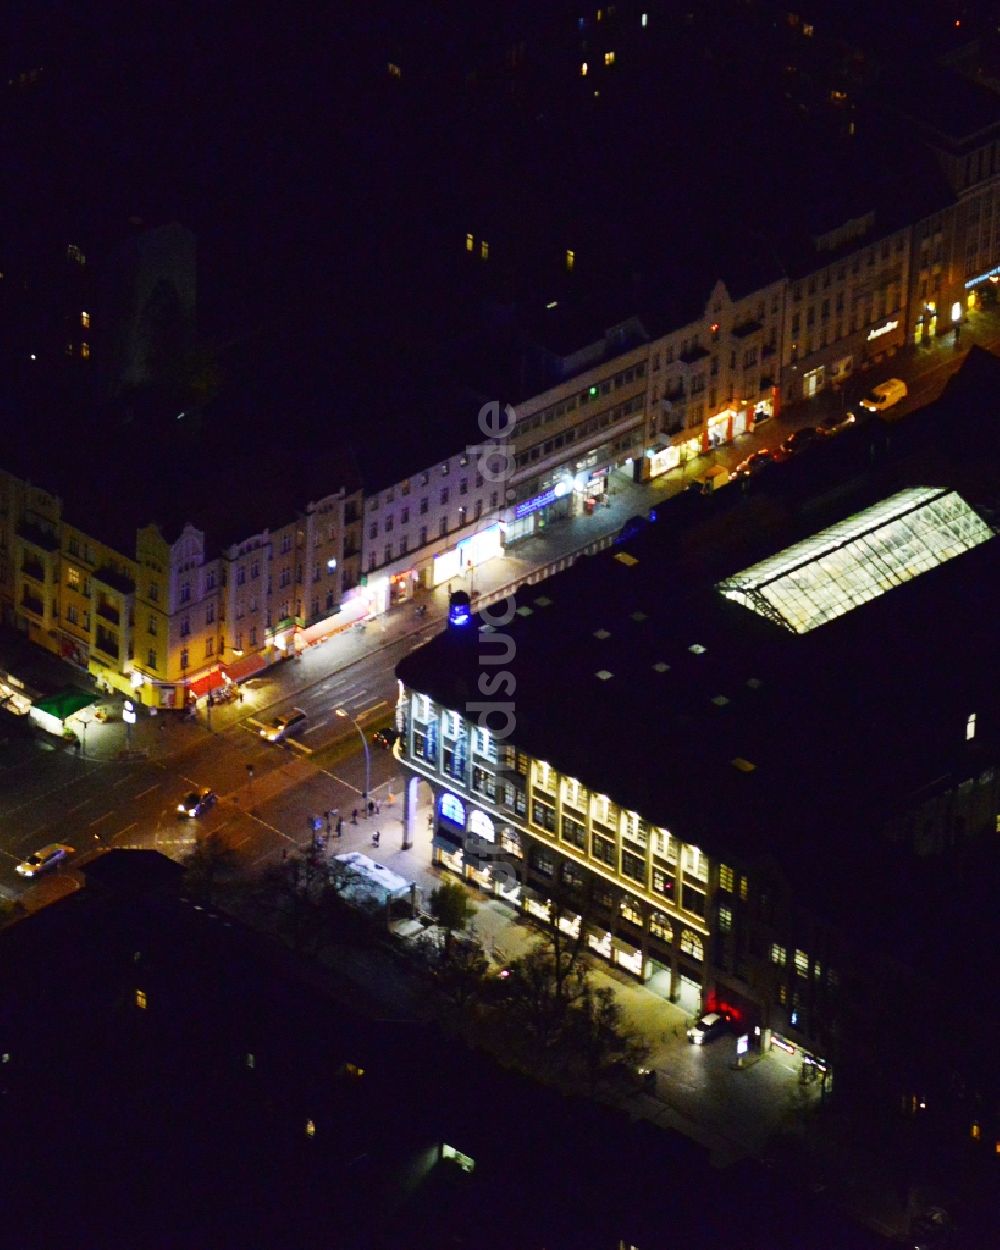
pixel 172 622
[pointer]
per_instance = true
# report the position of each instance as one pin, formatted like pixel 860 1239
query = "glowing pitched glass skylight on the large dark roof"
pixel 859 559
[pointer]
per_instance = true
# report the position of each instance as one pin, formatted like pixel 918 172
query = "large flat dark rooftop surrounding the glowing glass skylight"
pixel 638 677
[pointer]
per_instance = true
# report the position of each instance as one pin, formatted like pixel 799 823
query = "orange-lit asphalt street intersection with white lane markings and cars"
pixel 53 796
